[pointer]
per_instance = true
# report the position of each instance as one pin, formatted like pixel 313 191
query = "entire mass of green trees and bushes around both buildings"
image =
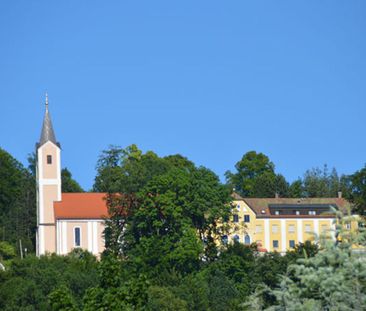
pixel 161 251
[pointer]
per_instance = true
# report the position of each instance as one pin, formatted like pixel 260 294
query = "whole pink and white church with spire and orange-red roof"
pixel 64 220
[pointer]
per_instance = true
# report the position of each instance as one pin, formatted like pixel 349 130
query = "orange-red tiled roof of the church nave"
pixel 81 206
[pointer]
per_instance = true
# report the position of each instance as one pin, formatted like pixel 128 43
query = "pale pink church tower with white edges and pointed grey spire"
pixel 48 154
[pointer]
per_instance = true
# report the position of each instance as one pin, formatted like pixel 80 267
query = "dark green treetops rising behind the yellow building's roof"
pixel 255 177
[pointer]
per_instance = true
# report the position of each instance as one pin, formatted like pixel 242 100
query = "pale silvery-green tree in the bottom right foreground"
pixel 333 279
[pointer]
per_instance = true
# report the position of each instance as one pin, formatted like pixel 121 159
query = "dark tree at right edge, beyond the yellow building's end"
pixel 358 191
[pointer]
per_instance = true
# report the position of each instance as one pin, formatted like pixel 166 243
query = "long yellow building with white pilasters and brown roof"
pixel 278 224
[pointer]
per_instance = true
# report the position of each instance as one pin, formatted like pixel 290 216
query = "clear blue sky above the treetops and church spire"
pixel 210 80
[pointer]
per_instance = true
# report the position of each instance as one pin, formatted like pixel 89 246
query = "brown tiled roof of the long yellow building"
pixel 261 206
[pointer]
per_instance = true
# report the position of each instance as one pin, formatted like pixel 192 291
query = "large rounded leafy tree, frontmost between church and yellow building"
pixel 175 213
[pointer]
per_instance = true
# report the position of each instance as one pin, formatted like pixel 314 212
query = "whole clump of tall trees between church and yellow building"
pixel 167 212
